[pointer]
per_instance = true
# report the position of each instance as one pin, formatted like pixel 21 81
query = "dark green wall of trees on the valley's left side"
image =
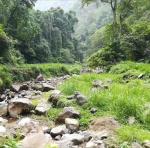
pixel 34 36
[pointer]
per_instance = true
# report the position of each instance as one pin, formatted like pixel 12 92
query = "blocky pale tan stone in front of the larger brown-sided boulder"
pixel 72 124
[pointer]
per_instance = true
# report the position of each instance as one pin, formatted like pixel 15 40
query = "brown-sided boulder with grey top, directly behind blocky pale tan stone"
pixel 67 112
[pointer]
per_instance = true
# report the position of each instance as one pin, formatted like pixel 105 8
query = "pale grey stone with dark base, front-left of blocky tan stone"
pixel 59 130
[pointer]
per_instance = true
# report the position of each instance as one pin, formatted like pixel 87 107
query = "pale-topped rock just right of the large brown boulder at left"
pixel 42 108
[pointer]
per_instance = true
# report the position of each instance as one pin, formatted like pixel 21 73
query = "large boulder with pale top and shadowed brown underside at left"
pixel 19 106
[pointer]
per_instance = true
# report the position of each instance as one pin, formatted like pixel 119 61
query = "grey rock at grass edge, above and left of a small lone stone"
pixel 80 99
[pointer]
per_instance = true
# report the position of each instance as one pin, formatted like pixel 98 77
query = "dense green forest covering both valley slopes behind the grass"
pixel 100 33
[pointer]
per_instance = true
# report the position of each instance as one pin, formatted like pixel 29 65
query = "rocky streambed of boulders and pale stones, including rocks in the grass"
pixel 17 110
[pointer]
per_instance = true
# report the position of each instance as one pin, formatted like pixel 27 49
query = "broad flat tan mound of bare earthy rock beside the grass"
pixel 105 123
